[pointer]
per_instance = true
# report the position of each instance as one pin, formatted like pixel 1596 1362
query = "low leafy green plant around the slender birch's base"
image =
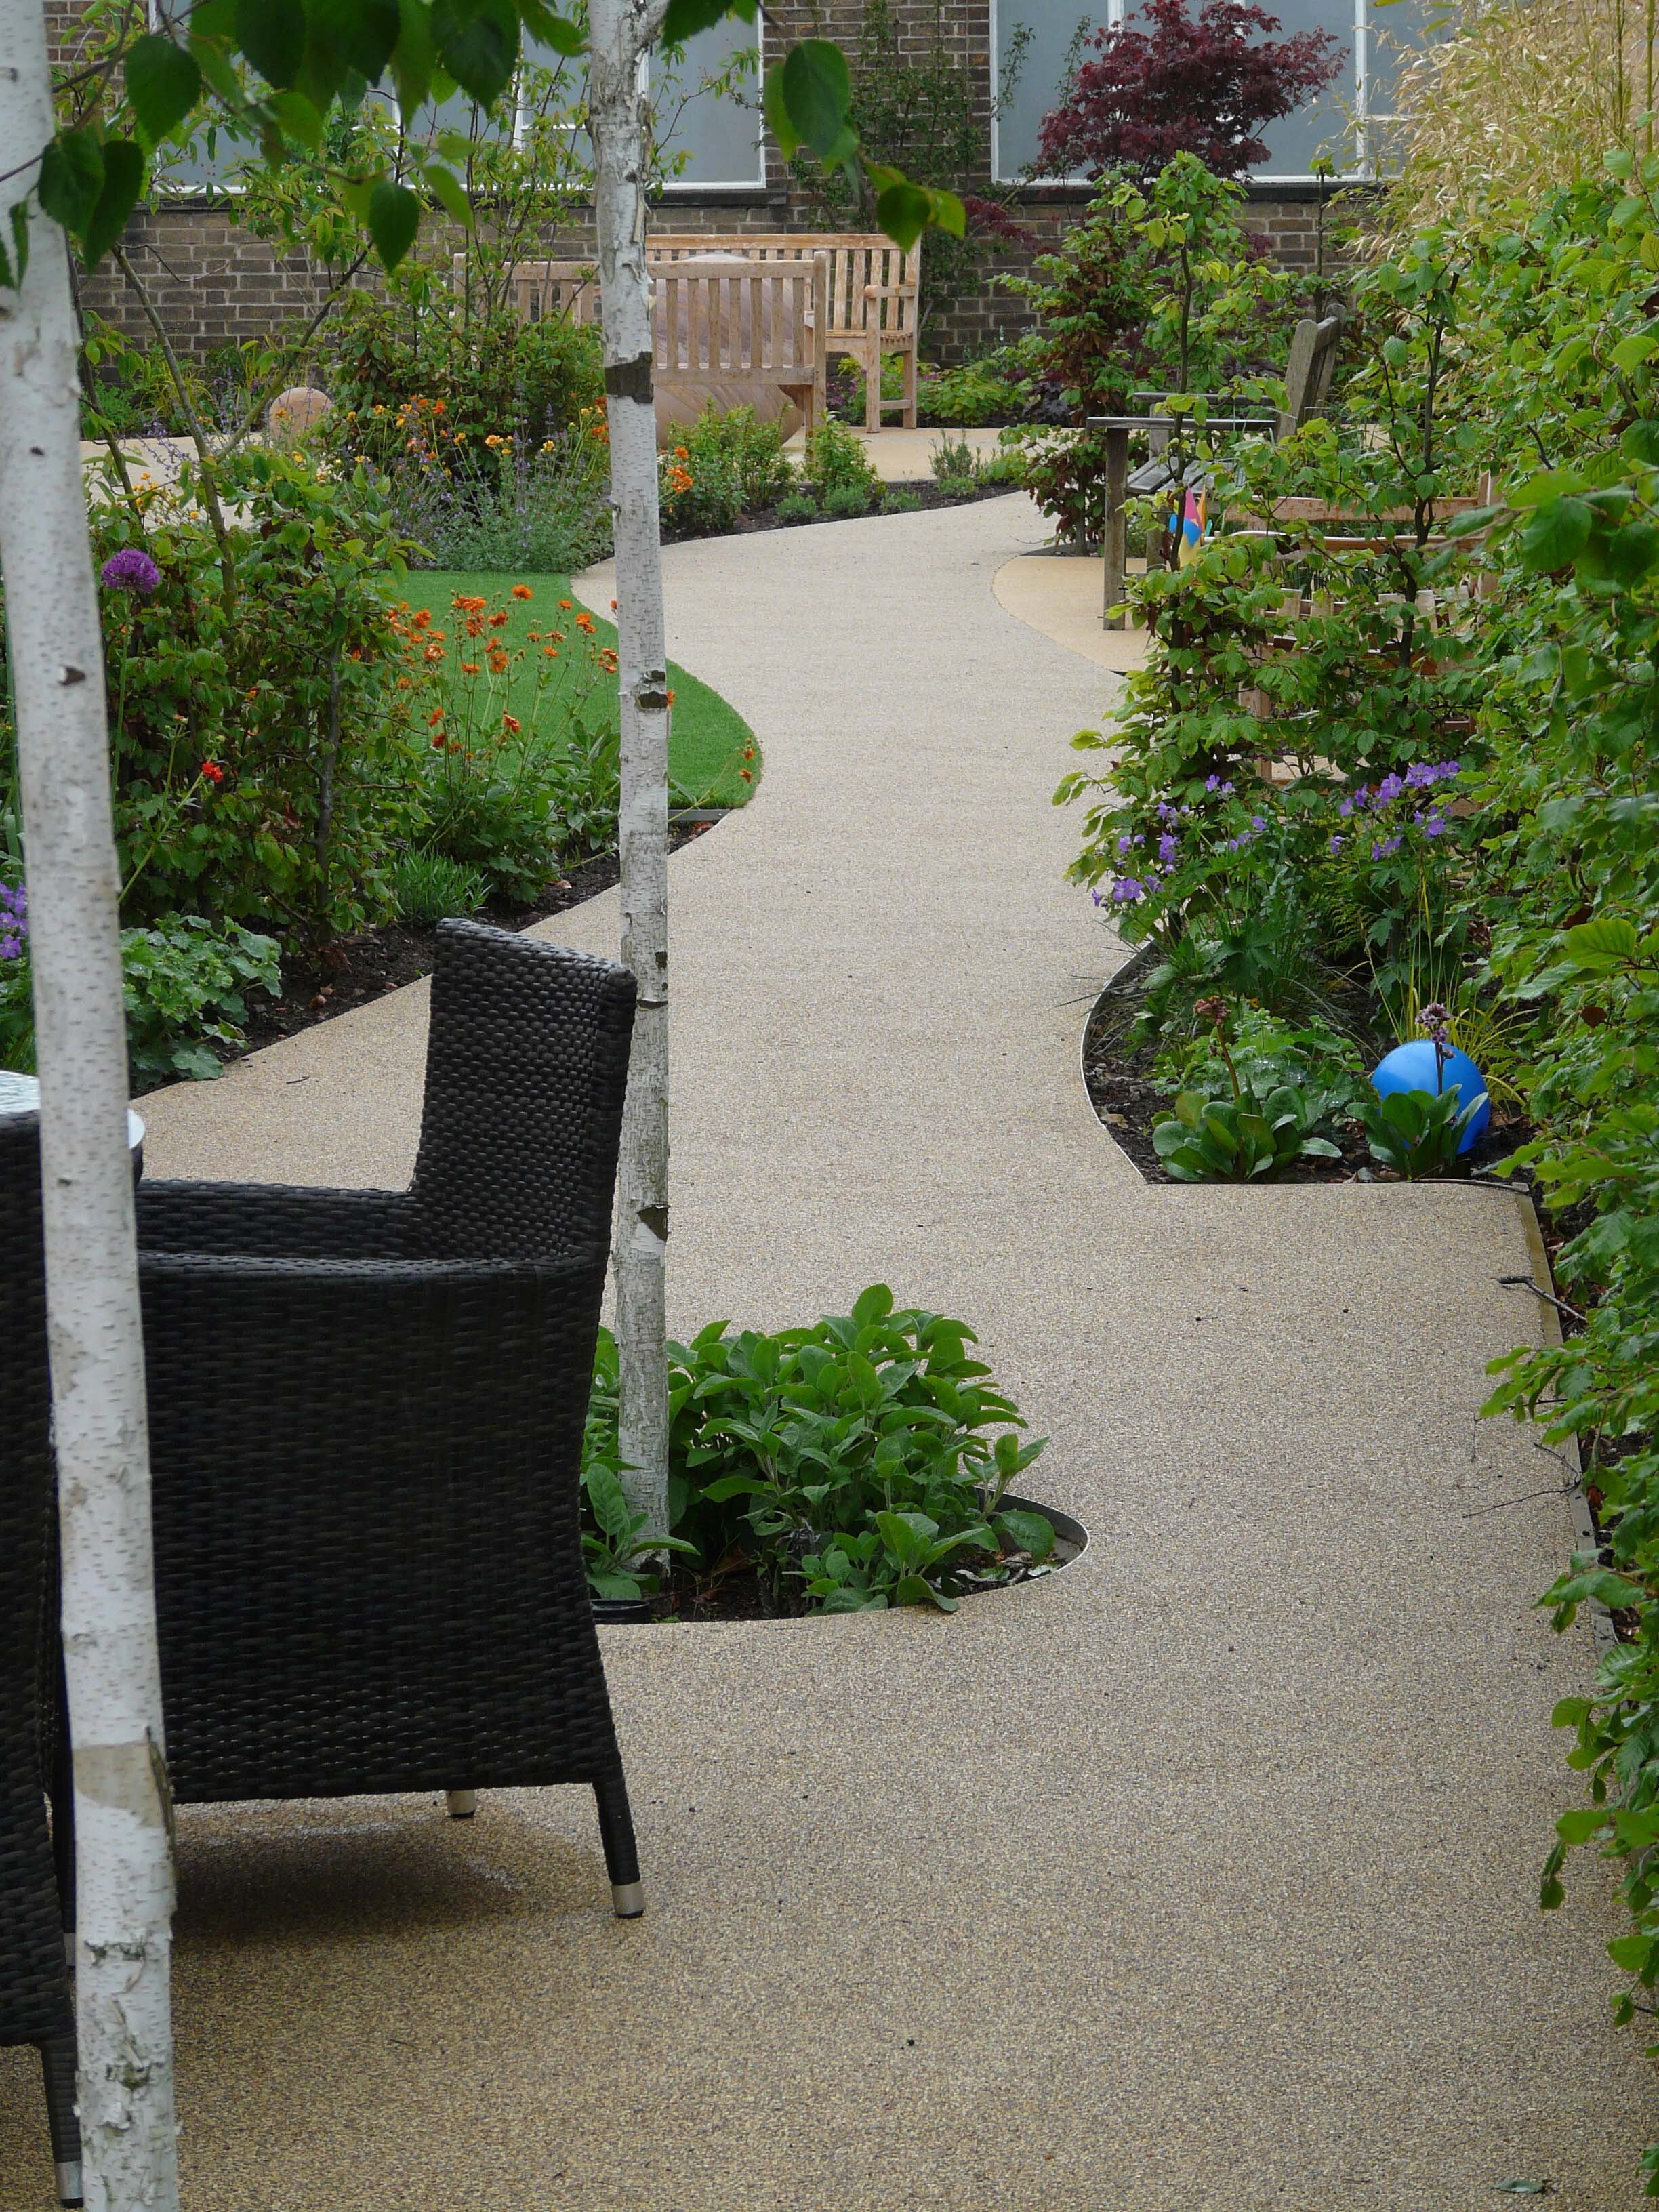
pixel 853 1465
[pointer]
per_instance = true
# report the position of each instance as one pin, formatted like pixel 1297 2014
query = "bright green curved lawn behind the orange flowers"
pixel 707 738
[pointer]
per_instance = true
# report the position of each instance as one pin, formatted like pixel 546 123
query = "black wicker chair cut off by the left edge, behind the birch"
pixel 34 1979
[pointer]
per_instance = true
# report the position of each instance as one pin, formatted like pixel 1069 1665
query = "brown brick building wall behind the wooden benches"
pixel 216 284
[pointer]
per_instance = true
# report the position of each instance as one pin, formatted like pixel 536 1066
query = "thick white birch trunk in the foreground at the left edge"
pixel 123 1844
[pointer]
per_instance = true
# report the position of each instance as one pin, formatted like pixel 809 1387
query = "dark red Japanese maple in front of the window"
pixel 1185 85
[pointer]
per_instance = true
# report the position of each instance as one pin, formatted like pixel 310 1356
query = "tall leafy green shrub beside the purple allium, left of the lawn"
pixel 258 700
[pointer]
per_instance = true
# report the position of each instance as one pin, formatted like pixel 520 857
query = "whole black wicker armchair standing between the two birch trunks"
pixel 366 1428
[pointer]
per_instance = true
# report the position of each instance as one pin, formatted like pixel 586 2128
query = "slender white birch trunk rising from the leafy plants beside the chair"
pixel 623 34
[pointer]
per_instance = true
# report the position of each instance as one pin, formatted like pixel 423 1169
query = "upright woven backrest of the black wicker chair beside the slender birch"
pixel 528 1067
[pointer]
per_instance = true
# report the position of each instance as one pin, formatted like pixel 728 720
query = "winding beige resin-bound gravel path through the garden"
pixel 1198 1877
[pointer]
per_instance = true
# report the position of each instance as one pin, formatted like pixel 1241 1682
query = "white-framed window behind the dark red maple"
pixel 1036 43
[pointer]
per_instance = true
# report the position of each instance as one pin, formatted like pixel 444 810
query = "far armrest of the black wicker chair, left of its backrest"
pixel 271 1220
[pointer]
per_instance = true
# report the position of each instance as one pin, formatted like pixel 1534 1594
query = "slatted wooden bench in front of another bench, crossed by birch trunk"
pixel 729 331
